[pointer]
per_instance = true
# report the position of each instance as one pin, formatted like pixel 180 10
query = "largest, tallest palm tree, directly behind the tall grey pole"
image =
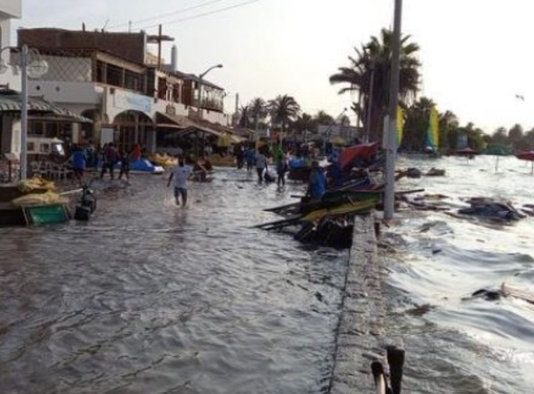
pixel 373 63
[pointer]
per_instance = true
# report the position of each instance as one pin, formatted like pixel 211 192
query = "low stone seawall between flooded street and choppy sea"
pixel 363 310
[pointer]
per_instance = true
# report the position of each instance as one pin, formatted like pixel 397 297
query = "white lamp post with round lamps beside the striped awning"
pixel 36 69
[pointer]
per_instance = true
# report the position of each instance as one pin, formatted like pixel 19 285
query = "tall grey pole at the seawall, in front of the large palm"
pixel 391 149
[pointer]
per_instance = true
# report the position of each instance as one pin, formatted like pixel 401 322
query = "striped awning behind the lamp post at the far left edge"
pixel 11 102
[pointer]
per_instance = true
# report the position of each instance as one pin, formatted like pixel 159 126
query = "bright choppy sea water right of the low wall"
pixel 461 344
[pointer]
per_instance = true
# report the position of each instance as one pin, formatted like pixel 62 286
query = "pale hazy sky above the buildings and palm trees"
pixel 476 55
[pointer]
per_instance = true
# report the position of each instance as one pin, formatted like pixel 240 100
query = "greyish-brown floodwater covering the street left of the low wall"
pixel 151 298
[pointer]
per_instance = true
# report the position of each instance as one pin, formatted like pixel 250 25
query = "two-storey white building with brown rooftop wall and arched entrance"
pixel 112 79
